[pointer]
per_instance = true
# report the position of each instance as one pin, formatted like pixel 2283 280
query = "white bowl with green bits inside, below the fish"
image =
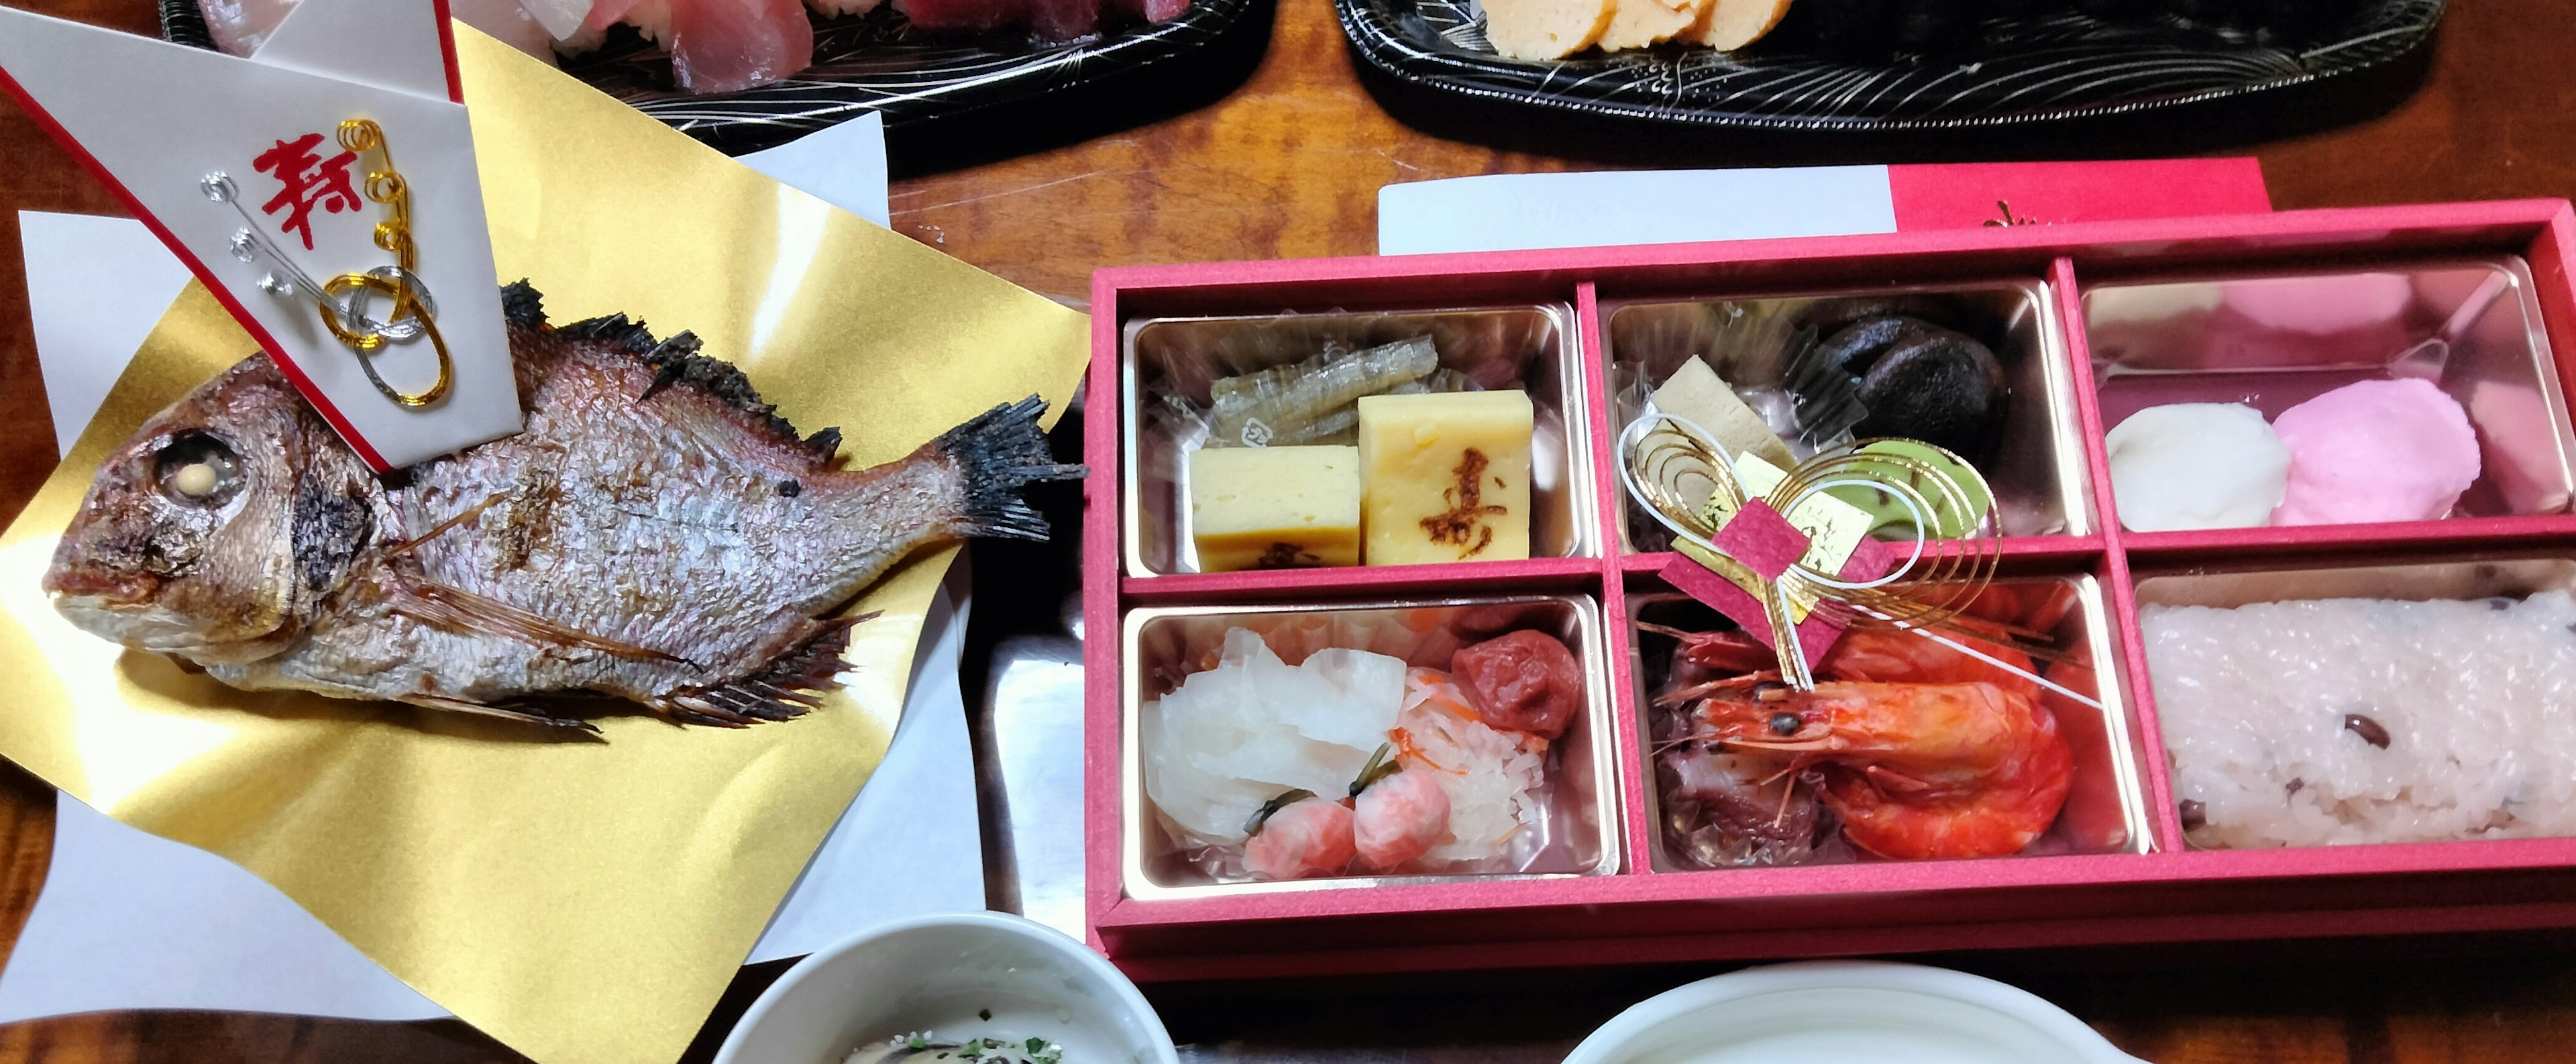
pixel 936 975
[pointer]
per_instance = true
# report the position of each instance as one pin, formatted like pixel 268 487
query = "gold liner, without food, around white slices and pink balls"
pixel 1166 645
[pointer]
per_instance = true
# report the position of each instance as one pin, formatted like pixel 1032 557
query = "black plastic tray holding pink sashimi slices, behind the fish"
pixel 867 63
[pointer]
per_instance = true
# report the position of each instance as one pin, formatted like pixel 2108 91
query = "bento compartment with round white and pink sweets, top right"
pixel 2351 395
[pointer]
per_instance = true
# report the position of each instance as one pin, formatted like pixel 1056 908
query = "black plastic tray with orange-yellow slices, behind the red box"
pixel 2029 71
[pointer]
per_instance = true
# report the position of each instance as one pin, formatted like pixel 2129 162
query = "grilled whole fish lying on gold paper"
pixel 653 535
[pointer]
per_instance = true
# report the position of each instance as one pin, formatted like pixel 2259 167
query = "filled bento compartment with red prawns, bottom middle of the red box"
pixel 1722 805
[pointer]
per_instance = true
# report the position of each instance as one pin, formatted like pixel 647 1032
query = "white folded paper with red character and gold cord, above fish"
pixel 156 122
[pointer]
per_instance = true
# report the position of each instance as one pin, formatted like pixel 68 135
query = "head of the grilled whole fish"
pixel 189 537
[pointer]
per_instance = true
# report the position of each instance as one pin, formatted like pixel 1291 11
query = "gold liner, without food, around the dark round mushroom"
pixel 2039 455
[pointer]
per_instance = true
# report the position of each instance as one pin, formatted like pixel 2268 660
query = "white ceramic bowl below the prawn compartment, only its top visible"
pixel 1846 1011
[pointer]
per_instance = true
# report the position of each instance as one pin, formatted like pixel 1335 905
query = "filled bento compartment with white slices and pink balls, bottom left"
pixel 1230 707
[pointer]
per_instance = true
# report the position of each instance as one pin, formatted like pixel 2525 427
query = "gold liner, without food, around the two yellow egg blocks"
pixel 1184 357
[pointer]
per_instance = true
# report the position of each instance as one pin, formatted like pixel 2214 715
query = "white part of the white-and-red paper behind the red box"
pixel 1632 207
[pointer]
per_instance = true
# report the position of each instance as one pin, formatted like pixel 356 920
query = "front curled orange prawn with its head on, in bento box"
pixel 1913 769
